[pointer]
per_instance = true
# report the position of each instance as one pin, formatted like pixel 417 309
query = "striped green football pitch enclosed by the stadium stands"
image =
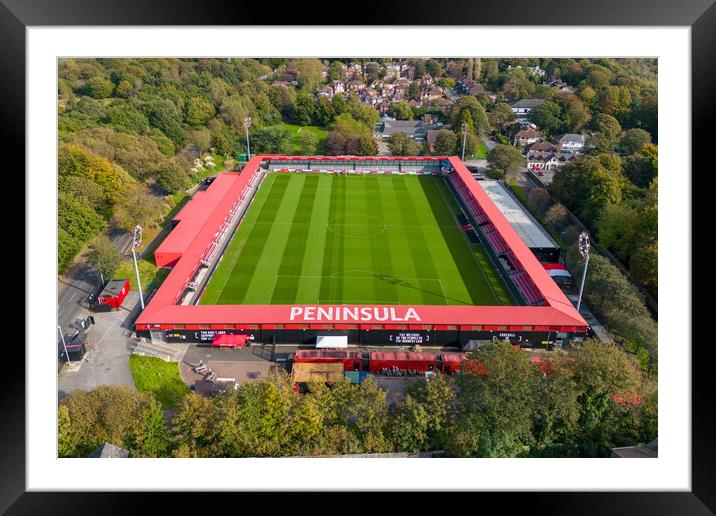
pixel 354 239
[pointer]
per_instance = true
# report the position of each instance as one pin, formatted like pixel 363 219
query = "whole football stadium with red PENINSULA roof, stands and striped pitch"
pixel 377 251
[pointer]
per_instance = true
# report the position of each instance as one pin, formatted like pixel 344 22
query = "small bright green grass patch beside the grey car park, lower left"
pixel 161 378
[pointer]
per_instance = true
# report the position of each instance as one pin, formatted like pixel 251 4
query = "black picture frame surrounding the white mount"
pixel 700 15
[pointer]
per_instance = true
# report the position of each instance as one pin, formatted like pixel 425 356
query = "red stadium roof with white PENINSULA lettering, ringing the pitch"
pixel 203 216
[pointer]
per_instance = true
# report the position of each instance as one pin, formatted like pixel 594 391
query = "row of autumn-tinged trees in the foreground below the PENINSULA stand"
pixel 501 404
